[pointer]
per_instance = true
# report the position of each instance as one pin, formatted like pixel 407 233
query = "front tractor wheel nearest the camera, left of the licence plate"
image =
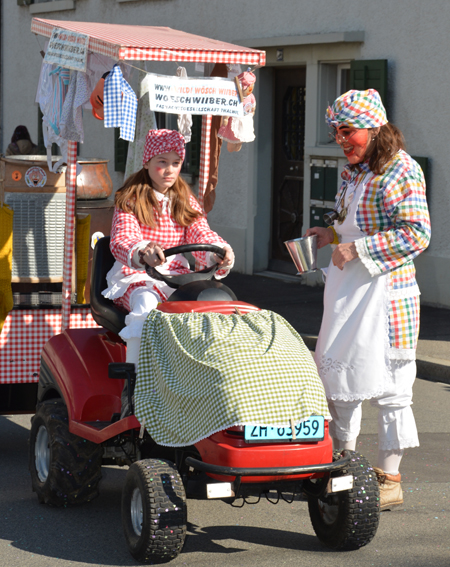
pixel 154 512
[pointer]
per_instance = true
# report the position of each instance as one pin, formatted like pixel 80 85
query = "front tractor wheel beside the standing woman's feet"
pixel 349 519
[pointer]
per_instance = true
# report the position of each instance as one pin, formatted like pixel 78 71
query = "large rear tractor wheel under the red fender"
pixel 65 469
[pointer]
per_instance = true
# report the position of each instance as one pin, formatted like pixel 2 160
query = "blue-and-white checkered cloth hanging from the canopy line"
pixel 120 104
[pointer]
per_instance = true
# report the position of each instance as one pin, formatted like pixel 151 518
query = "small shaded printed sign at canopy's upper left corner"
pixel 68 49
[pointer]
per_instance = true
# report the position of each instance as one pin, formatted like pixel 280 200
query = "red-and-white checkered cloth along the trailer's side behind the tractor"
pixel 24 335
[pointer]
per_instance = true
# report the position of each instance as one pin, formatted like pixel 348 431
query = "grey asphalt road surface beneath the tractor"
pixel 34 535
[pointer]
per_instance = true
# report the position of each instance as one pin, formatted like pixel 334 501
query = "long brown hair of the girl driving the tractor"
pixel 136 196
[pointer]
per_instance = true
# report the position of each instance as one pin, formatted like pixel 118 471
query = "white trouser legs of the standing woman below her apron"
pixel 396 424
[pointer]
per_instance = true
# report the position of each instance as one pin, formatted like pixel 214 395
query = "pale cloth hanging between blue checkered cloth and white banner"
pixel 145 121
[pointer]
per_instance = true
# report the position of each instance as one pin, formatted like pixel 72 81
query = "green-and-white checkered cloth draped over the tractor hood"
pixel 200 373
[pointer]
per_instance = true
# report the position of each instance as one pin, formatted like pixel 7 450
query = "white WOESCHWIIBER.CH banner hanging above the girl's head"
pixel 176 95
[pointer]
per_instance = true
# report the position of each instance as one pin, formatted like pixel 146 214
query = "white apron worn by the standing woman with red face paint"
pixel 353 343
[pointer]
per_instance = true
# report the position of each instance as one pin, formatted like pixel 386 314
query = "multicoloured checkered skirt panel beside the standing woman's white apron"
pixel 404 317
